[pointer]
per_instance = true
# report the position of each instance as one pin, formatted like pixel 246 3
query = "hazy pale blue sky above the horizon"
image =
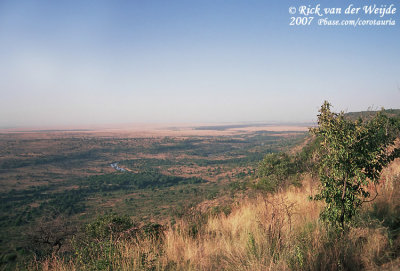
pixel 83 62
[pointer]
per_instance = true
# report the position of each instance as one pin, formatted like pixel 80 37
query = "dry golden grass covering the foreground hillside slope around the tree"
pixel 271 232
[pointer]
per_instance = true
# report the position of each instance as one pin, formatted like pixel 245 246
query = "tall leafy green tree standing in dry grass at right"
pixel 352 155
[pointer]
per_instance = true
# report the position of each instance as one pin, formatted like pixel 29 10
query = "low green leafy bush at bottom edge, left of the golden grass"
pixel 98 247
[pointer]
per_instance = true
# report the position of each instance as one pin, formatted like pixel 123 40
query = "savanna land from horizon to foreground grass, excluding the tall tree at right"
pixel 205 197
